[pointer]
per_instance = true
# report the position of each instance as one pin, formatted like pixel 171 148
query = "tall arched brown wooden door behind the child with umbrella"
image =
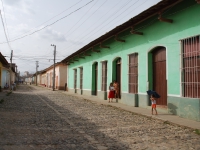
pixel 159 75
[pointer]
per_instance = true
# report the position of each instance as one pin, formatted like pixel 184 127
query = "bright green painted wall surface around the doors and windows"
pixel 186 23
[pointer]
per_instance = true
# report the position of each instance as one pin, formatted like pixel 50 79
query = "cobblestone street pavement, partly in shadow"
pixel 34 118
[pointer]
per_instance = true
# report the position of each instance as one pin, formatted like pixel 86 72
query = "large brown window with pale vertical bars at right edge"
pixel 190 69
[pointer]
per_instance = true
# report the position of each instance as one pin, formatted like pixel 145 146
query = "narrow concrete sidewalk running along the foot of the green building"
pixel 173 119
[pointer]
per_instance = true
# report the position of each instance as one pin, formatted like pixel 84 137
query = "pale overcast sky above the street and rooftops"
pixel 33 25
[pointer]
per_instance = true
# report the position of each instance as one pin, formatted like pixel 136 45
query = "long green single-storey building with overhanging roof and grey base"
pixel 159 49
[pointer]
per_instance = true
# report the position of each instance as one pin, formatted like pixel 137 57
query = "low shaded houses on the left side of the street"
pixel 7 76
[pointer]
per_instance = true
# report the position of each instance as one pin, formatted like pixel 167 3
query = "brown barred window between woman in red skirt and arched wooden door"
pixel 133 73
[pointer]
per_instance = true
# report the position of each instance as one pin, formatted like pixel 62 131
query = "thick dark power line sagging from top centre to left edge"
pixel 49 24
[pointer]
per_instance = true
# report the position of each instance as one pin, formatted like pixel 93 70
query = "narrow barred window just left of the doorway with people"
pixel 104 76
